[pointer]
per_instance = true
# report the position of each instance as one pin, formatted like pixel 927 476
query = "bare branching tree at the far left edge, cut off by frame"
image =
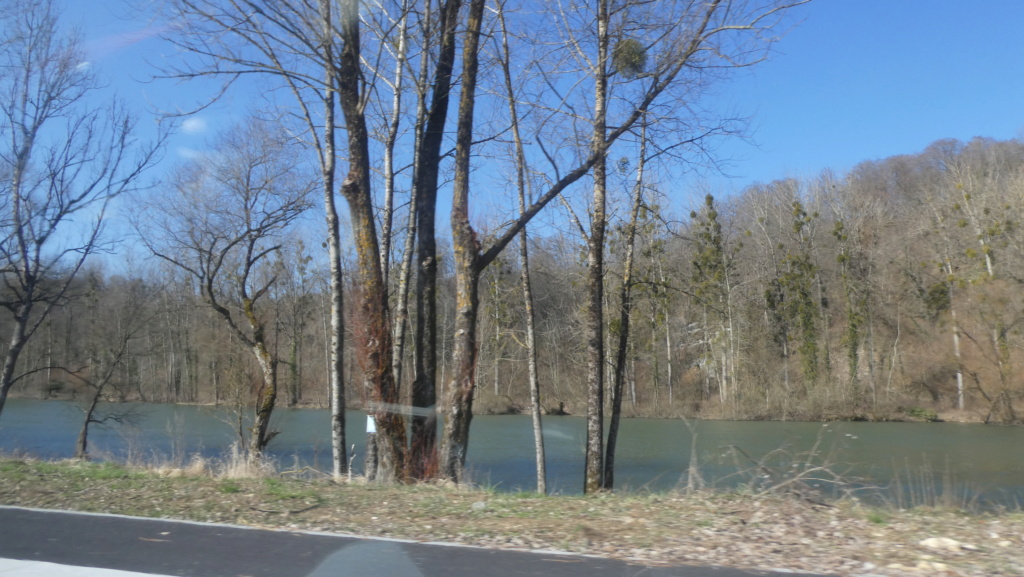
pixel 64 160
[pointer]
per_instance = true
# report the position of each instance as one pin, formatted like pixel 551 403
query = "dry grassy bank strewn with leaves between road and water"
pixel 714 528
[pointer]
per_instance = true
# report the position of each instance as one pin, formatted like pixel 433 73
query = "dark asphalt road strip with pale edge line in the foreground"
pixel 168 548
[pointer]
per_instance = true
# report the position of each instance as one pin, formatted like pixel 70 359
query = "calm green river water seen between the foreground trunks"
pixel 653 455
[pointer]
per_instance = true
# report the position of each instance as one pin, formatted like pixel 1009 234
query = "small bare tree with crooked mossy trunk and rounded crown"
pixel 222 223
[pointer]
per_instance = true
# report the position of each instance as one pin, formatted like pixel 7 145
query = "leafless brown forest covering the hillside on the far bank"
pixel 892 292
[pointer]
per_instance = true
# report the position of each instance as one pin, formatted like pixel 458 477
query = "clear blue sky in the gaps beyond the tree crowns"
pixel 854 80
